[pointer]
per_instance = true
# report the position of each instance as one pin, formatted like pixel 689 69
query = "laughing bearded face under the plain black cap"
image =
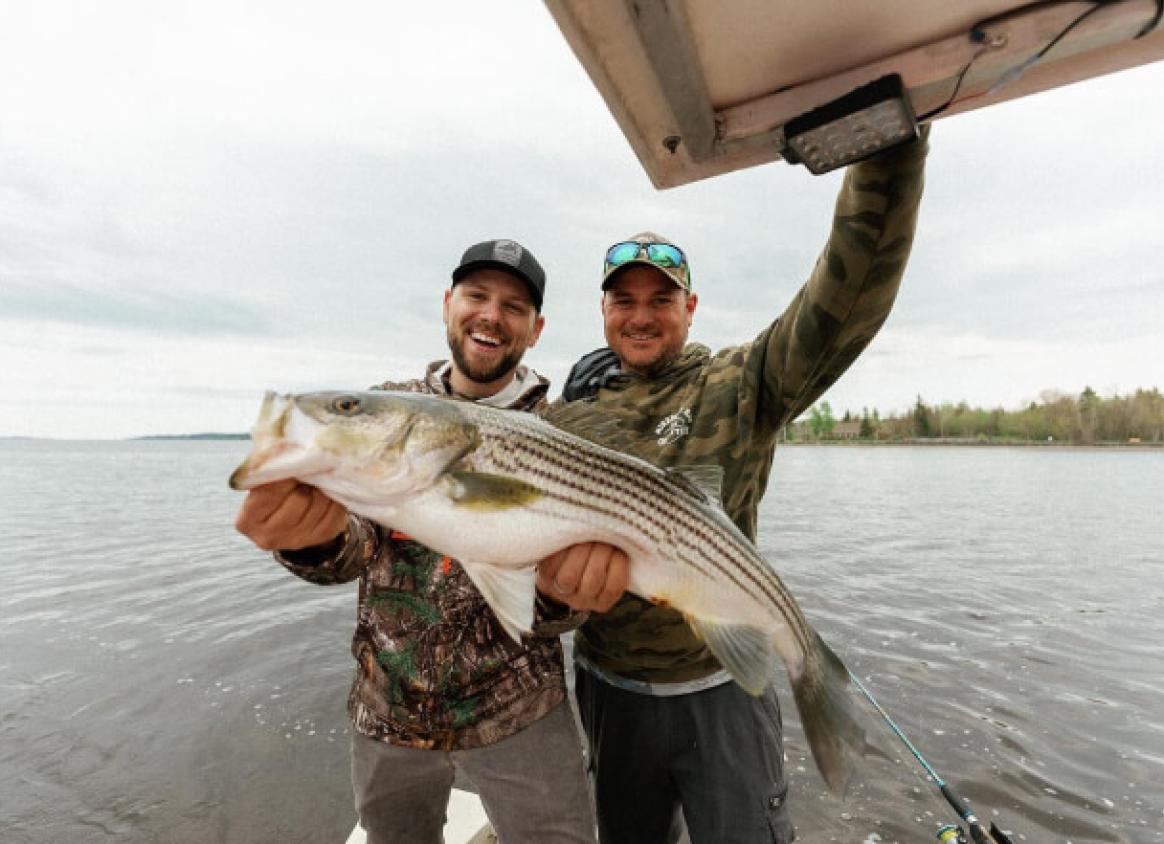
pixel 492 322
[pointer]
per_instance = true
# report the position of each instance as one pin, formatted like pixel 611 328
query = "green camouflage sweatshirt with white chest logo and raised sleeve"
pixel 728 408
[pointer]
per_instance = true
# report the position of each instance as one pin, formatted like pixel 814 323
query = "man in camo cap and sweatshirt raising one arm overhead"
pixel 671 736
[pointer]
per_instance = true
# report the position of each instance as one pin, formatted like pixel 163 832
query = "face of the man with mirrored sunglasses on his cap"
pixel 647 317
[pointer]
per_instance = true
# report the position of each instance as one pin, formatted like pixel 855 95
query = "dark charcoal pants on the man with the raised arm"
pixel 712 758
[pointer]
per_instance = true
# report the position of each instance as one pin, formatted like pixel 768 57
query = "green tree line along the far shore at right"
pixel 1057 417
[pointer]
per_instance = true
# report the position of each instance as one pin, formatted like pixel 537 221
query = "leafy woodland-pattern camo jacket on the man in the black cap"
pixel 434 666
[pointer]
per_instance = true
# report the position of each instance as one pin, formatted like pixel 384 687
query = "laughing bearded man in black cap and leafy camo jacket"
pixel 441 689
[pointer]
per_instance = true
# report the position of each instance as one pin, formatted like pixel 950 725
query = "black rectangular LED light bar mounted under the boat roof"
pixel 865 122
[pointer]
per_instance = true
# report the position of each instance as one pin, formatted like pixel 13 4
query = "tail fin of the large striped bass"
pixel 829 714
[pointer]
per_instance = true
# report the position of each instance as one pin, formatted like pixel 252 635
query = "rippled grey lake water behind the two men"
pixel 161 680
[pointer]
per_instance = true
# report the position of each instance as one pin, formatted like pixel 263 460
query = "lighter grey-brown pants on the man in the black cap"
pixel 533 786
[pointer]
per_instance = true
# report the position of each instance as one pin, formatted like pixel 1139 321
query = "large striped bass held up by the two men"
pixel 500 491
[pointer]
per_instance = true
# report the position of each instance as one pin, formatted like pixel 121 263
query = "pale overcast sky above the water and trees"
pixel 201 202
